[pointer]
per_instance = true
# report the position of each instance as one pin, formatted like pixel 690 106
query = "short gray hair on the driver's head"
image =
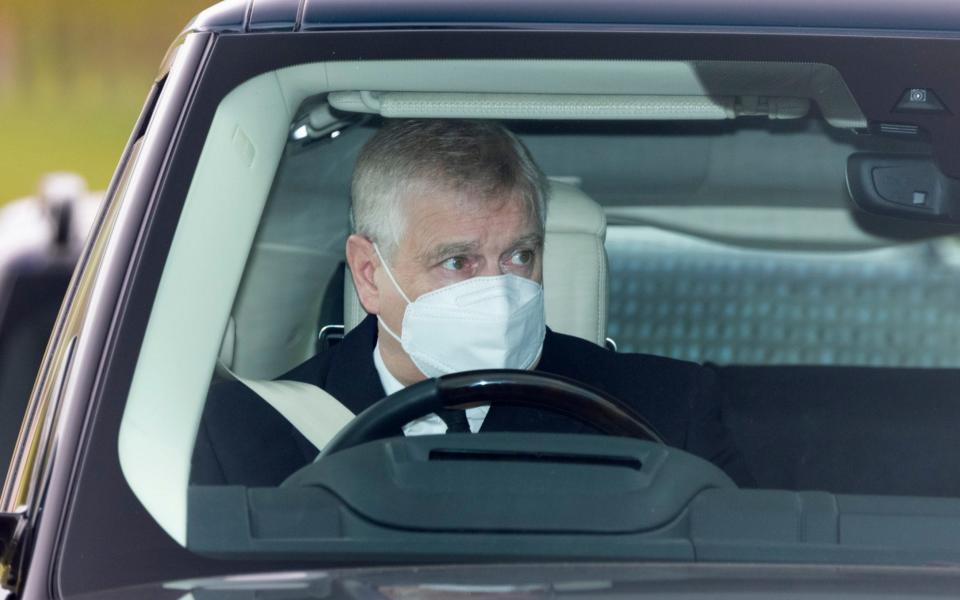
pixel 419 156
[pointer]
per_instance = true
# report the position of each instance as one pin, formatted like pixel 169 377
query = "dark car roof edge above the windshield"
pixel 245 16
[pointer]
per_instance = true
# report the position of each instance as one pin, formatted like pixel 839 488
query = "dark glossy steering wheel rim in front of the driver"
pixel 494 387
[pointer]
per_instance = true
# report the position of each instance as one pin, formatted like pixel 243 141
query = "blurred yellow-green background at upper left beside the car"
pixel 73 78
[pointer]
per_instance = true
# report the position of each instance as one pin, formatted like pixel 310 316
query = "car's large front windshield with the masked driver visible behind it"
pixel 743 347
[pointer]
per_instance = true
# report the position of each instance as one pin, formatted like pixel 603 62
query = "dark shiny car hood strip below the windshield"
pixel 555 581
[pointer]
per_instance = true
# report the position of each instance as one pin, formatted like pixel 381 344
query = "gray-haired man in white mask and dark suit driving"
pixel 446 257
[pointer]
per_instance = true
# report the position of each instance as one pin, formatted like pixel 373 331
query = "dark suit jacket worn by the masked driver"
pixel 243 440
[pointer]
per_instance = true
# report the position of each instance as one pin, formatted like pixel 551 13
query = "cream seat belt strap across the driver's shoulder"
pixel 311 410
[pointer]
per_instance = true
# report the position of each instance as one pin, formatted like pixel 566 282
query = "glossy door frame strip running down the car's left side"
pixel 46 456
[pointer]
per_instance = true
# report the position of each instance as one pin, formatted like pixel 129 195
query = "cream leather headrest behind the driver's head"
pixel 574 268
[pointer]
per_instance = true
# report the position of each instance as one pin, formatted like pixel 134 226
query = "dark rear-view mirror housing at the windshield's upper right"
pixel 904 186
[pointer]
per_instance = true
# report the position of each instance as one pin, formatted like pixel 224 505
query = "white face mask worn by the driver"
pixel 482 323
